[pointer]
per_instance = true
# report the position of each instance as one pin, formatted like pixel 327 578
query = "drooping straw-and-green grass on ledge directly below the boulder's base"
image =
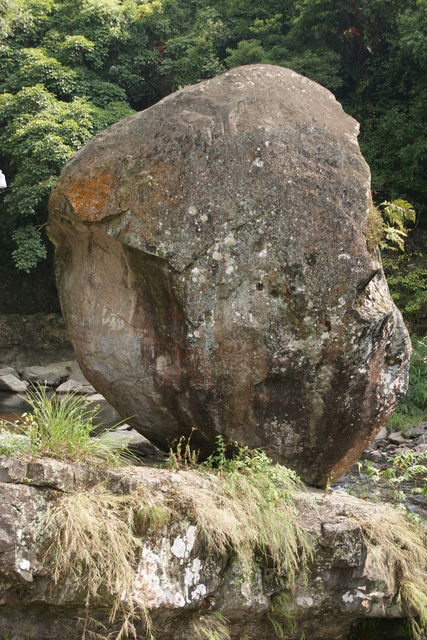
pixel 236 512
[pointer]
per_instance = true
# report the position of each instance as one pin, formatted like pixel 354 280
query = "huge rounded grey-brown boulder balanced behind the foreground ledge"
pixel 214 273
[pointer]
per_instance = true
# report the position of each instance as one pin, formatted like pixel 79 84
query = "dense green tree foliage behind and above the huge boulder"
pixel 69 68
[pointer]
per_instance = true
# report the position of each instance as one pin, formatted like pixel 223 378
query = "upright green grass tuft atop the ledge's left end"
pixel 60 427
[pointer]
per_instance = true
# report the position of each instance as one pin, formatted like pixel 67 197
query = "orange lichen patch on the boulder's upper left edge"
pixel 91 196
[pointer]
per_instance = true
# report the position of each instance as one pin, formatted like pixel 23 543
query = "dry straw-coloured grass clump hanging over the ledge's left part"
pixel 93 537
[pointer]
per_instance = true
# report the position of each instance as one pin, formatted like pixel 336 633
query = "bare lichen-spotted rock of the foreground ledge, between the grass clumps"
pixel 179 578
